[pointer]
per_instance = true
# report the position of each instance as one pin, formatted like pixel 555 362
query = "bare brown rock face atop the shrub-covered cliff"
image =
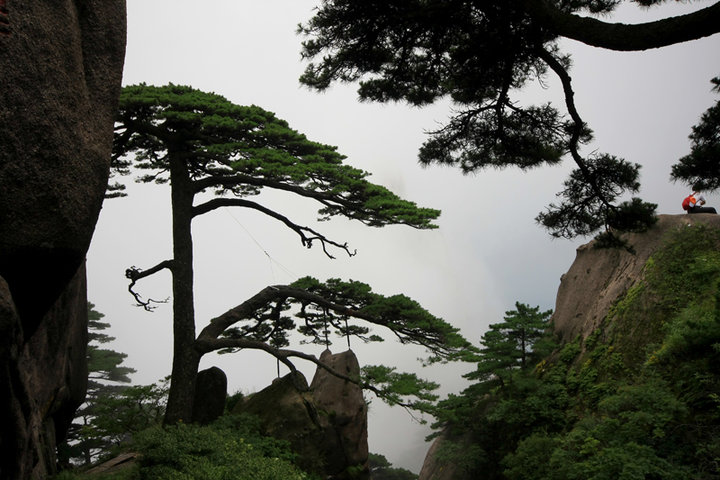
pixel 599 276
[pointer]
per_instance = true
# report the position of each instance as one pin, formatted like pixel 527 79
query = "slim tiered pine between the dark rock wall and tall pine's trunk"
pixel 105 376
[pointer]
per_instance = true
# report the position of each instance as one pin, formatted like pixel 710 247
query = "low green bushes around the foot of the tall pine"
pixel 231 448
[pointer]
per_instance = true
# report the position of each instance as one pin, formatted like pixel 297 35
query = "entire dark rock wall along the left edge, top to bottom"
pixel 60 68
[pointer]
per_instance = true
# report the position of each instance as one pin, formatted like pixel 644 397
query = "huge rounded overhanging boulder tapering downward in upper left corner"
pixel 60 71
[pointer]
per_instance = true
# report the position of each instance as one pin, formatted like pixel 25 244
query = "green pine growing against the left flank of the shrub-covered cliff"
pixel 505 400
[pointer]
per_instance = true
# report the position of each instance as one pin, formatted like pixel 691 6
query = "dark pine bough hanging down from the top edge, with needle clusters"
pixel 480 53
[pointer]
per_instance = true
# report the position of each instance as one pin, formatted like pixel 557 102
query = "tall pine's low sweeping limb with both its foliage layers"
pixel 265 321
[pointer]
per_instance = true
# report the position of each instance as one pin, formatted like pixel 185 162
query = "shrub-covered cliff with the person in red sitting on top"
pixel 631 389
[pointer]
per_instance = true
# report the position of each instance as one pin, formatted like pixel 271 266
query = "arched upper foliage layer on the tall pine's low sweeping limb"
pixel 329 307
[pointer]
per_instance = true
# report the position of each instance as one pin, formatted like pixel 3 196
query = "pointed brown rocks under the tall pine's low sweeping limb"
pixel 326 423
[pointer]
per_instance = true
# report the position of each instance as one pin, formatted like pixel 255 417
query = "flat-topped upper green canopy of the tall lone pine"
pixel 238 151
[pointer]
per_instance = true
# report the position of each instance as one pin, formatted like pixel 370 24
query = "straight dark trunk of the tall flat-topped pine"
pixel 186 358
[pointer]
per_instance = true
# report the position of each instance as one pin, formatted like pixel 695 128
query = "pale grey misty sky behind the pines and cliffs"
pixel 488 252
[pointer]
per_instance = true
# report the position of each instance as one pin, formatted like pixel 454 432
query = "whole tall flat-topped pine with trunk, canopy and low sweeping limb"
pixel 201 142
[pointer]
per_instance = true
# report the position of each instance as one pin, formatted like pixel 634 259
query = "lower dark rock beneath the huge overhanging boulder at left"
pixel 43 381
